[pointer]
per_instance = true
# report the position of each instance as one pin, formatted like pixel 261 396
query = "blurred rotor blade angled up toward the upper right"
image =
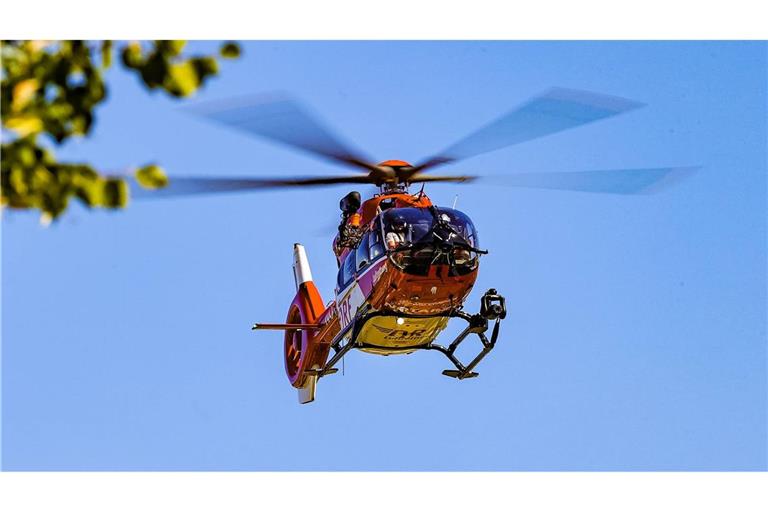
pixel 556 110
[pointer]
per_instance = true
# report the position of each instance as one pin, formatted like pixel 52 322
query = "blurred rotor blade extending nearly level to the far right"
pixel 610 181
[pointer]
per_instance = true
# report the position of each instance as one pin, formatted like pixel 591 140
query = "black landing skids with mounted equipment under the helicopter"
pixel 492 308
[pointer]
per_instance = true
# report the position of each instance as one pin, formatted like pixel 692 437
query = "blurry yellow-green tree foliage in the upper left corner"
pixel 52 89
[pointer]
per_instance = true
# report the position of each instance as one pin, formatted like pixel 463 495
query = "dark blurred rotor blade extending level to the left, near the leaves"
pixel 184 186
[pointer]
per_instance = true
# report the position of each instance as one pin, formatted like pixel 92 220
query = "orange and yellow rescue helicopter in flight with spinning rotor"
pixel 405 265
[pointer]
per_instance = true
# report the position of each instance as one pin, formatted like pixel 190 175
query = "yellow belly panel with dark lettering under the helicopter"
pixel 388 334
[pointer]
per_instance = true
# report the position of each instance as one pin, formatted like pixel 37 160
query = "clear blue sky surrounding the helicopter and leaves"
pixel 636 334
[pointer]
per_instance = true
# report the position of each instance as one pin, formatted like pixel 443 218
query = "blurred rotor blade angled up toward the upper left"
pixel 285 121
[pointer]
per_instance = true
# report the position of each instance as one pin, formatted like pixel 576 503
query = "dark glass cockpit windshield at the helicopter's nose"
pixel 418 238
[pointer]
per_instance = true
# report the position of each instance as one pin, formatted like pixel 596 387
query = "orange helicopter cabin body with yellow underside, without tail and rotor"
pixel 411 289
